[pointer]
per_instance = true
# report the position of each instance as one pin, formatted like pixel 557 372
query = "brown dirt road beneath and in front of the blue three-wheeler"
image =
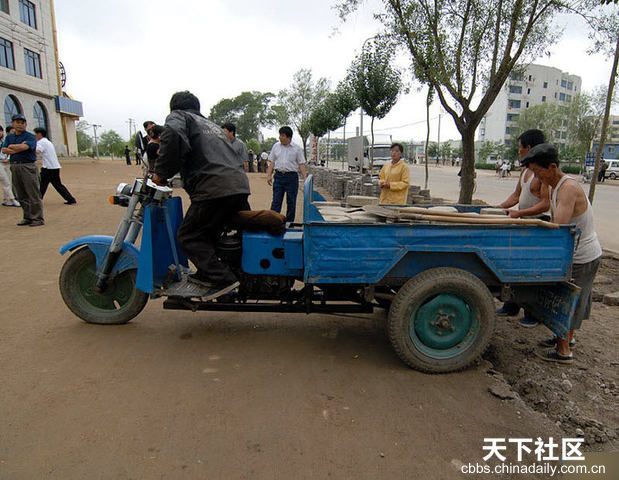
pixel 215 395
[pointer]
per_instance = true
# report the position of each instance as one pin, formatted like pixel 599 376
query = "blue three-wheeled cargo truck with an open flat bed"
pixel 438 281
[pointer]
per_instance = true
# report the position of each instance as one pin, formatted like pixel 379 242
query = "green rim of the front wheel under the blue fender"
pixel 116 298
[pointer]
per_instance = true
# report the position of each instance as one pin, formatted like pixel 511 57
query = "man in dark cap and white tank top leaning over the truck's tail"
pixel 569 205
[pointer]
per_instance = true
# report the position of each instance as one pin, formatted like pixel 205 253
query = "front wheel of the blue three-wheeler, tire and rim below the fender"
pixel 121 302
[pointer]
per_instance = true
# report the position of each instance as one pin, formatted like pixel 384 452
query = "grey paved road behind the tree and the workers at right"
pixel 444 182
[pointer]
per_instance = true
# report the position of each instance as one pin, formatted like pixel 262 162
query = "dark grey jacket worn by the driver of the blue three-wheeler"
pixel 200 151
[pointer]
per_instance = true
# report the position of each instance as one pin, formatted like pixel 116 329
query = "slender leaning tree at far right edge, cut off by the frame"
pixel 606 40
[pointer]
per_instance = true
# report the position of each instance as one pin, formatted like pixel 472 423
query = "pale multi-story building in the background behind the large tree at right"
pixel 538 84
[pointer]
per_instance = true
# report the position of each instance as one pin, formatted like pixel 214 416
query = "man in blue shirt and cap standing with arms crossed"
pixel 21 146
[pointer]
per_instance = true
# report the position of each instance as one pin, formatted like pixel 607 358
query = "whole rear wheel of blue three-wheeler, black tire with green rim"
pixel 441 320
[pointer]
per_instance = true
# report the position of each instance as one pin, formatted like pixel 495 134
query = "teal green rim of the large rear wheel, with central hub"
pixel 444 326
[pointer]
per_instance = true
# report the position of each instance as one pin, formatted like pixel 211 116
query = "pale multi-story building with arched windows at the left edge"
pixel 31 81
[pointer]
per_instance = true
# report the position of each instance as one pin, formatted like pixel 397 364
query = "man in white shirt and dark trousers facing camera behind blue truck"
pixel 287 160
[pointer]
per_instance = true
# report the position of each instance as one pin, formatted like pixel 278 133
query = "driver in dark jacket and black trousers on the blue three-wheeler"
pixel 215 181
